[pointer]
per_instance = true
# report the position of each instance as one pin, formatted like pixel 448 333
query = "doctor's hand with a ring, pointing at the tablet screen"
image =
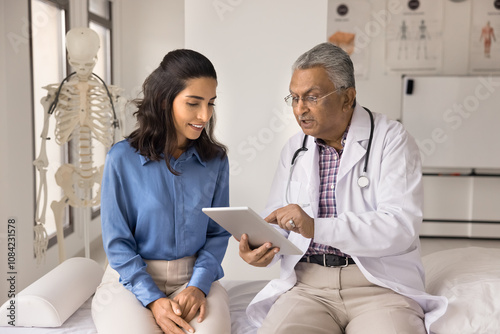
pixel 292 218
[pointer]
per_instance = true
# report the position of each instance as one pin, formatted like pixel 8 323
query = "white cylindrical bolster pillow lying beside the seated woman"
pixel 52 299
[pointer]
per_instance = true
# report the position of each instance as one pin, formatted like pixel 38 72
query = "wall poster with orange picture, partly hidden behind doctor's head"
pixel 350 27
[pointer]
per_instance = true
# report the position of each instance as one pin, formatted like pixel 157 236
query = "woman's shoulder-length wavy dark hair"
pixel 156 134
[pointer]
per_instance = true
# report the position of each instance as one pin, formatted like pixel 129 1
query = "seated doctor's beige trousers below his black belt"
pixel 341 300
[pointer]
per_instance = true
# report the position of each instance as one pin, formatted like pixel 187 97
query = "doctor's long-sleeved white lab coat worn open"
pixel 377 225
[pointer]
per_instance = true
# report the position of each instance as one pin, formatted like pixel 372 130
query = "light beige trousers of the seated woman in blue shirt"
pixel 116 310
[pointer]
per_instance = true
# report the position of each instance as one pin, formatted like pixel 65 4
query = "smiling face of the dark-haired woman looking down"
pixel 193 107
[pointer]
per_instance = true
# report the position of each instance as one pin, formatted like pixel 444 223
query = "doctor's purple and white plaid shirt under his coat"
pixel 329 162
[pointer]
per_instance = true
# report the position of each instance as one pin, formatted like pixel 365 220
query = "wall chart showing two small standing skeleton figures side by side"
pixel 414 36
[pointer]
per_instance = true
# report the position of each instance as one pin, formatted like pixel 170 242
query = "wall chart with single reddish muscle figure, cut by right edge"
pixel 484 47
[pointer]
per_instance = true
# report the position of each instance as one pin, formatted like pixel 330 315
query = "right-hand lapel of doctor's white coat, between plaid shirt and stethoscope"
pixel 354 151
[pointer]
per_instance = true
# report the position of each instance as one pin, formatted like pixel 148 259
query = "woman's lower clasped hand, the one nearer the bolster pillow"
pixel 168 316
